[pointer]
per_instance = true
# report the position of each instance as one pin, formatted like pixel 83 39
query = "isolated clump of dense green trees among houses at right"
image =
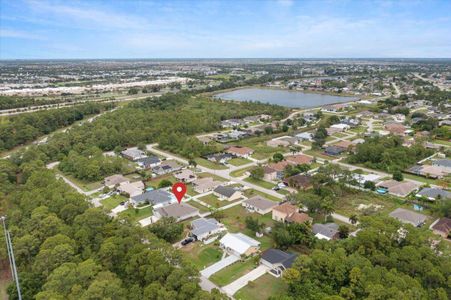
pixel 388 154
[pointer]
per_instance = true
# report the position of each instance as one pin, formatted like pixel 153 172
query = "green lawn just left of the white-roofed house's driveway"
pixel 200 255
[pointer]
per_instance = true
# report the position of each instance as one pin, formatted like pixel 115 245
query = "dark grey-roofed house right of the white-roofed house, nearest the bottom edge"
pixel 277 261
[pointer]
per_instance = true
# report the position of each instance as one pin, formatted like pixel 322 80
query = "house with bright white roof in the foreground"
pixel 239 244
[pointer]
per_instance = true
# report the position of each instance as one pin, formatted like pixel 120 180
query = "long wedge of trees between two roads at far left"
pixel 20 129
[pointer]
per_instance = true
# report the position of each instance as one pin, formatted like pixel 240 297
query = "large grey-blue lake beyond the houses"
pixel 296 99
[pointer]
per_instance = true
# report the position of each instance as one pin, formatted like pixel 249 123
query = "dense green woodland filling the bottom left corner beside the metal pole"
pixel 67 250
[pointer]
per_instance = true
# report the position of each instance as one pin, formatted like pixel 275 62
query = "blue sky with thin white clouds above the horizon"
pixel 196 29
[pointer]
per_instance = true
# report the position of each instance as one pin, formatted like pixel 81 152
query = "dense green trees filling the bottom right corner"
pixel 381 262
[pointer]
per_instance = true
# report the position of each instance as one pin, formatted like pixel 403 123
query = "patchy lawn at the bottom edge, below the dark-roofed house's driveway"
pixel 262 288
